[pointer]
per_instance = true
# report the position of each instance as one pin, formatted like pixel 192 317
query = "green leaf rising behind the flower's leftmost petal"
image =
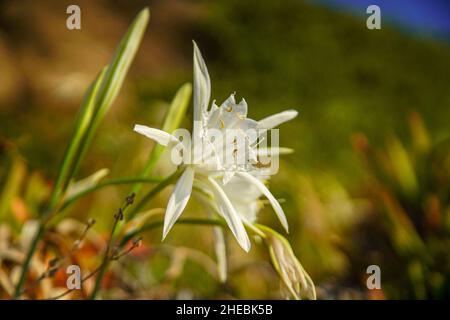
pixel 172 121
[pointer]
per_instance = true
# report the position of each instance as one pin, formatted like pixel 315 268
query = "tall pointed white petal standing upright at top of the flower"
pixel 202 85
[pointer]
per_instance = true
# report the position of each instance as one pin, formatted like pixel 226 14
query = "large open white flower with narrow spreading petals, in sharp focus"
pixel 235 190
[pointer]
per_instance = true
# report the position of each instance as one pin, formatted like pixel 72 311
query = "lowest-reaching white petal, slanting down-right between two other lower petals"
pixel 232 218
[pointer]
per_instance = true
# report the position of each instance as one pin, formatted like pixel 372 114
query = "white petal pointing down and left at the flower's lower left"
pixel 178 199
